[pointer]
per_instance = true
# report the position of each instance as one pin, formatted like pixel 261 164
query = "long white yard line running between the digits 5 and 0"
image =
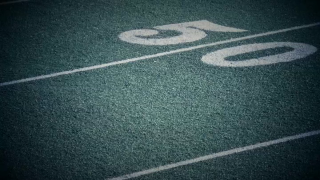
pixel 154 55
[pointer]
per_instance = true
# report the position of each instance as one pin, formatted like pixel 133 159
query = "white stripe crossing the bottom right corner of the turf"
pixel 216 155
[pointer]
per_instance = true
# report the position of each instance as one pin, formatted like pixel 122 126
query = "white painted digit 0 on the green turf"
pixel 299 51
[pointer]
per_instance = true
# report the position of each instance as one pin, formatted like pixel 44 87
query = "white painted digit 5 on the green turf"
pixel 190 32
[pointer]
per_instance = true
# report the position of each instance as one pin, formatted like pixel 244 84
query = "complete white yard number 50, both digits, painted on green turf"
pixel 195 30
